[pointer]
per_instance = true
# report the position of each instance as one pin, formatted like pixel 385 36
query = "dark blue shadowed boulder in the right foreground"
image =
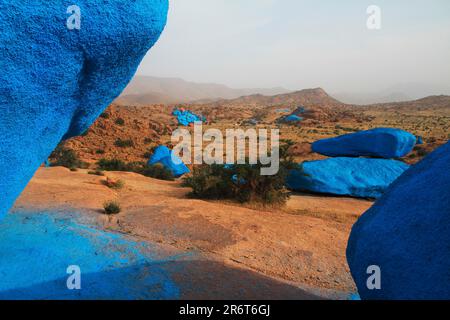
pixel 407 234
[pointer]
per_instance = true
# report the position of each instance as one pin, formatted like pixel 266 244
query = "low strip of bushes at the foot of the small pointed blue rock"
pixel 156 171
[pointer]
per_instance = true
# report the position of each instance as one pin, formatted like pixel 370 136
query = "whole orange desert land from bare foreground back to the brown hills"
pixel 234 250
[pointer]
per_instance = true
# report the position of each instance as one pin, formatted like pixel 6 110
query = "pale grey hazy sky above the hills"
pixel 300 44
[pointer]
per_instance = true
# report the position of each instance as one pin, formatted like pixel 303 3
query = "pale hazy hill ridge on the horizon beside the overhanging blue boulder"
pixel 153 90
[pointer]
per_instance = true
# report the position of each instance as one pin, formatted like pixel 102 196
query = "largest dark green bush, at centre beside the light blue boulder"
pixel 243 183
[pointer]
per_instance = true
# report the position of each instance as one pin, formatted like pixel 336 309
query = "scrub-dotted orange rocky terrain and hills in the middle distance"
pixel 151 125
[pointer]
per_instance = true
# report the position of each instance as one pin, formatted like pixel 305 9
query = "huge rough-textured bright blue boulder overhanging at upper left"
pixel 55 80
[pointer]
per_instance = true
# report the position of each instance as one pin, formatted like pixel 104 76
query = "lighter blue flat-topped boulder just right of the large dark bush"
pixel 357 177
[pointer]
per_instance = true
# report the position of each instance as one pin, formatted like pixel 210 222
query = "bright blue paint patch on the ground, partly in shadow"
pixel 37 248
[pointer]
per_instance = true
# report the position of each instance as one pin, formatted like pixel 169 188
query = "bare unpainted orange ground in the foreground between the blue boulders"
pixel 297 252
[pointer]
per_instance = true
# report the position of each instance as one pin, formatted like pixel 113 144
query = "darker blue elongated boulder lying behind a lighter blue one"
pixel 381 143
